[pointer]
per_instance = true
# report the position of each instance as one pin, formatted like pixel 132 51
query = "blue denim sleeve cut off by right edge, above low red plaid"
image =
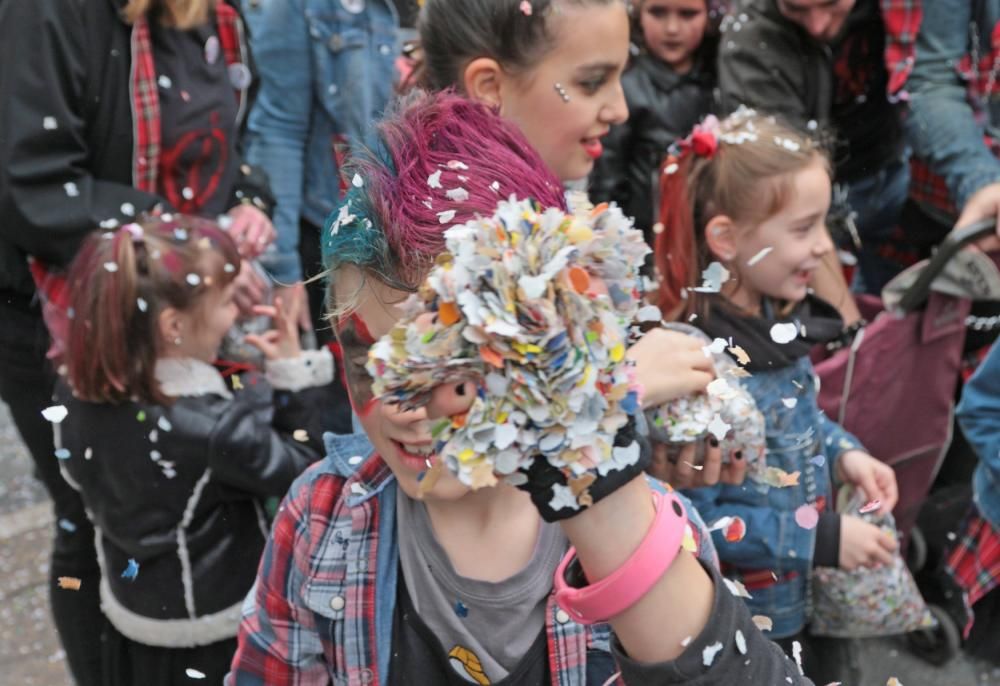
pixel 979 416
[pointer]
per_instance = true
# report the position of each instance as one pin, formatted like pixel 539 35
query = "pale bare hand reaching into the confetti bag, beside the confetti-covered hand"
pixel 670 365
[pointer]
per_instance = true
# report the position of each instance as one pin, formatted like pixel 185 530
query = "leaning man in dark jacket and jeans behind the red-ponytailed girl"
pixel 819 65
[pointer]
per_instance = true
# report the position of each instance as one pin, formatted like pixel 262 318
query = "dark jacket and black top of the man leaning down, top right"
pixel 771 64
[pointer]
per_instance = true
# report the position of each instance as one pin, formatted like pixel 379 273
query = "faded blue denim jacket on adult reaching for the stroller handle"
pixel 949 108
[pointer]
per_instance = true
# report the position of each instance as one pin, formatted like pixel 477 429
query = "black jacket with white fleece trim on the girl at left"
pixel 180 489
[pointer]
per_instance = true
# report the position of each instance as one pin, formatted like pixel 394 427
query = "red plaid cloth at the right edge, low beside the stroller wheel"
pixel 974 563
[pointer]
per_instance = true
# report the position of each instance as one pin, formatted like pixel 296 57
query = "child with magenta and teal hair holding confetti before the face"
pixel 535 553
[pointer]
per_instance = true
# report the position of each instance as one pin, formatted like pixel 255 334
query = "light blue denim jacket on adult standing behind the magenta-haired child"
pixel 327 72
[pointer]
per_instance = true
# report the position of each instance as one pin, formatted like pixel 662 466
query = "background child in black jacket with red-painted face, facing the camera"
pixel 669 88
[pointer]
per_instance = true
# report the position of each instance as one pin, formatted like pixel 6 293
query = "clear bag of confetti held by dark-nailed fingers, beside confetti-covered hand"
pixel 726 411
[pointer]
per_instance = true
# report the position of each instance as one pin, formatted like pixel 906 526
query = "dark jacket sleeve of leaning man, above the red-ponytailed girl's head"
pixel 759 78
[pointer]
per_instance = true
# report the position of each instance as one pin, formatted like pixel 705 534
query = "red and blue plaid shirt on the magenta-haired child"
pixel 313 615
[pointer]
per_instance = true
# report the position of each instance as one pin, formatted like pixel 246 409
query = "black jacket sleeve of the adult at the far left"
pixel 49 200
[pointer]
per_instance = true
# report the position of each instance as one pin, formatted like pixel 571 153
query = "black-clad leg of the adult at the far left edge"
pixel 26 382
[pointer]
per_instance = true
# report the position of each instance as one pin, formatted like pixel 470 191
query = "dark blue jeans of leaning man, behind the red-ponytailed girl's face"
pixel 876 202
